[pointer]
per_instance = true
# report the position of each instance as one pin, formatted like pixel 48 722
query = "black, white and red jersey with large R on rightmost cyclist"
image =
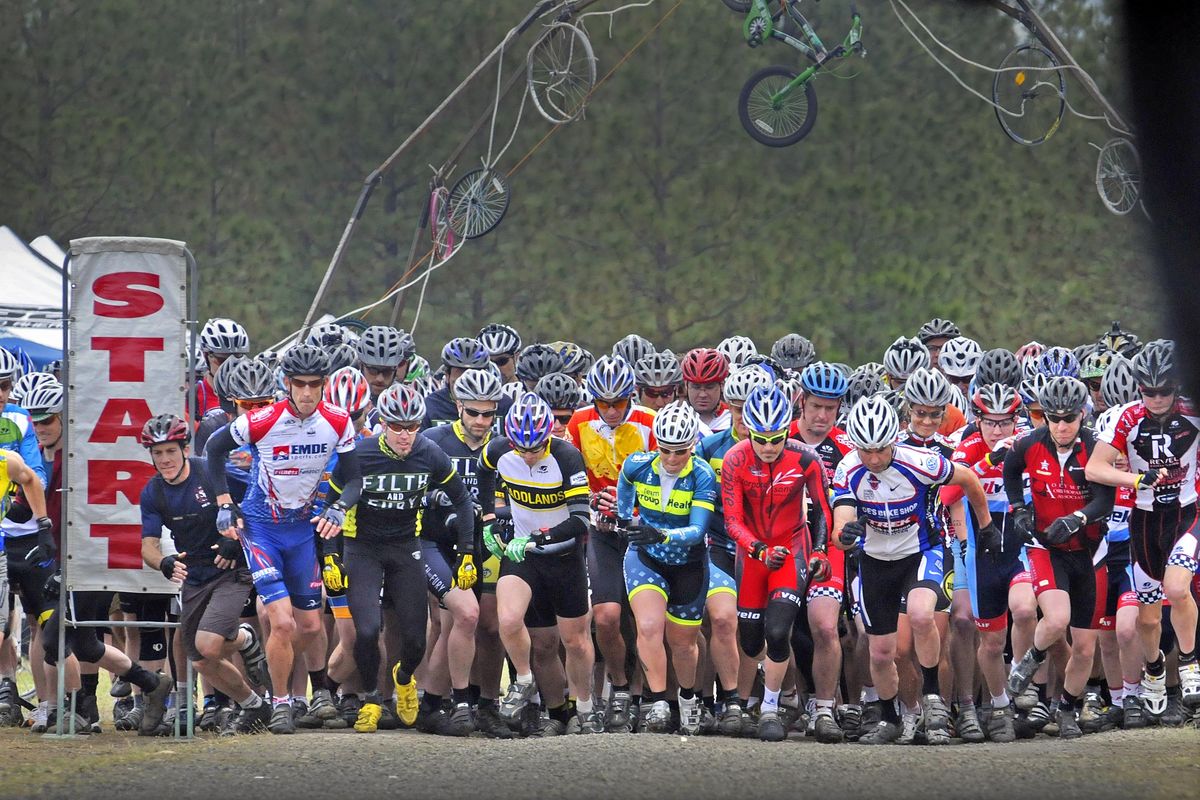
pixel 1154 444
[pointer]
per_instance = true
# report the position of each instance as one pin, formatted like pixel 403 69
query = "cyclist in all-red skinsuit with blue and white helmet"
pixel 766 484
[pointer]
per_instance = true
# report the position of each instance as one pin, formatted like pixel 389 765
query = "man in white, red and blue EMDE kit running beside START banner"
pixel 292 441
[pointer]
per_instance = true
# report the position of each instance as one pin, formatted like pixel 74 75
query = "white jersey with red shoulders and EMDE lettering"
pixel 291 456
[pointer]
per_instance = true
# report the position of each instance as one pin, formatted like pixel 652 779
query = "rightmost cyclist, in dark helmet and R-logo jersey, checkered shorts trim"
pixel 1159 436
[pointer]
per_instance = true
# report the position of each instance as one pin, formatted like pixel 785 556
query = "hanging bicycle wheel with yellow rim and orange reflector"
pixel 1030 94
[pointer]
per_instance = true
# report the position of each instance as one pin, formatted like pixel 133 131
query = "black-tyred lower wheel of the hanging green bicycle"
pixel 772 119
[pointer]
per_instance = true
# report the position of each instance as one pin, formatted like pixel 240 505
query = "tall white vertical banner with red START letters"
pixel 128 360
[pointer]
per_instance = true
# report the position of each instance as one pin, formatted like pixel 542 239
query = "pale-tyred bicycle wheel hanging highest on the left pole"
pixel 561 71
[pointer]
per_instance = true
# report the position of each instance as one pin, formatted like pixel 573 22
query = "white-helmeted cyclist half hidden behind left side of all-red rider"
pixel 722 605
